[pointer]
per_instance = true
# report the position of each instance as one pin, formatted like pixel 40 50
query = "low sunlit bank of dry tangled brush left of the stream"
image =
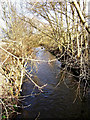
pixel 9 83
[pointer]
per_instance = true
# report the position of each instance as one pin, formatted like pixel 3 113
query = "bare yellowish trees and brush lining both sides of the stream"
pixel 63 31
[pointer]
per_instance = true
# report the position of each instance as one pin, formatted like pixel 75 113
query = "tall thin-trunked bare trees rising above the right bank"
pixel 67 29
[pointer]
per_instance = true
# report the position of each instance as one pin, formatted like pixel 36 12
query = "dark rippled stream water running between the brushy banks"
pixel 53 102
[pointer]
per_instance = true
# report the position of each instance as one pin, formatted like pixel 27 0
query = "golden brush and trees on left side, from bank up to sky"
pixel 16 49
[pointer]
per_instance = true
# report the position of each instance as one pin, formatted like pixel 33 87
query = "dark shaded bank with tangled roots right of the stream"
pixel 72 65
